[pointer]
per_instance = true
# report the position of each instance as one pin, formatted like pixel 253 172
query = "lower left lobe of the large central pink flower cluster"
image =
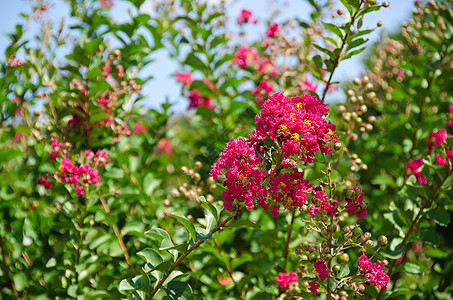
pixel 243 176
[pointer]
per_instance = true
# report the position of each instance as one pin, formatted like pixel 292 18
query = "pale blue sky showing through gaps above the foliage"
pixel 163 85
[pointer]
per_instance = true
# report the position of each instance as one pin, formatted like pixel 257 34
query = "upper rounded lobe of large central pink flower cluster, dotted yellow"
pixel 297 124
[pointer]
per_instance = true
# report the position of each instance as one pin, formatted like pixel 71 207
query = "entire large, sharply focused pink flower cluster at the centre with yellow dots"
pixel 298 128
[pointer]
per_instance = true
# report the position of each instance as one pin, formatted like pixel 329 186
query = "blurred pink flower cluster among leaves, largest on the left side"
pixel 77 174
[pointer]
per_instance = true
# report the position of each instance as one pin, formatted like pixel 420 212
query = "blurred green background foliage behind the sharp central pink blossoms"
pixel 56 244
